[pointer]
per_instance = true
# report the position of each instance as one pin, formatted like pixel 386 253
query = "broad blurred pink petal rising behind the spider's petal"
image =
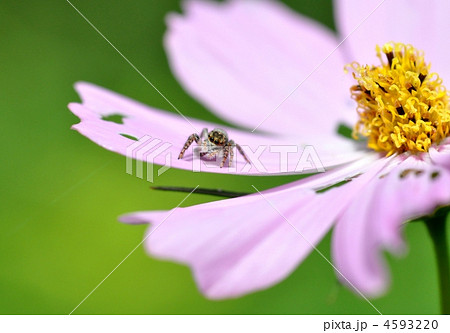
pixel 243 58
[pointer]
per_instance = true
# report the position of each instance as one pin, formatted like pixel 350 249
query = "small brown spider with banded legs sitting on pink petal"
pixel 212 143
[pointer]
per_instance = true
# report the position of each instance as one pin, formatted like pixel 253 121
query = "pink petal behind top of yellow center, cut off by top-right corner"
pixel 425 25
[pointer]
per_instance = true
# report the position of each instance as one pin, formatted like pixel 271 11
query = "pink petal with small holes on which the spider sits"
pixel 170 132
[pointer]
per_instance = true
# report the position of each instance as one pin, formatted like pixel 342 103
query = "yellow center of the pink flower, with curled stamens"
pixel 402 106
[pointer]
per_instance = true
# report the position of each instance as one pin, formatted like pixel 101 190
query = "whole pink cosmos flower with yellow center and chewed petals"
pixel 241 59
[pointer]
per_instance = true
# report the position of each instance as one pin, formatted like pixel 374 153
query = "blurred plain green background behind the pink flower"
pixel 61 193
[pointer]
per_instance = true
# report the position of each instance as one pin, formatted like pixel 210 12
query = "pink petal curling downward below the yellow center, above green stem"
pixel 374 221
